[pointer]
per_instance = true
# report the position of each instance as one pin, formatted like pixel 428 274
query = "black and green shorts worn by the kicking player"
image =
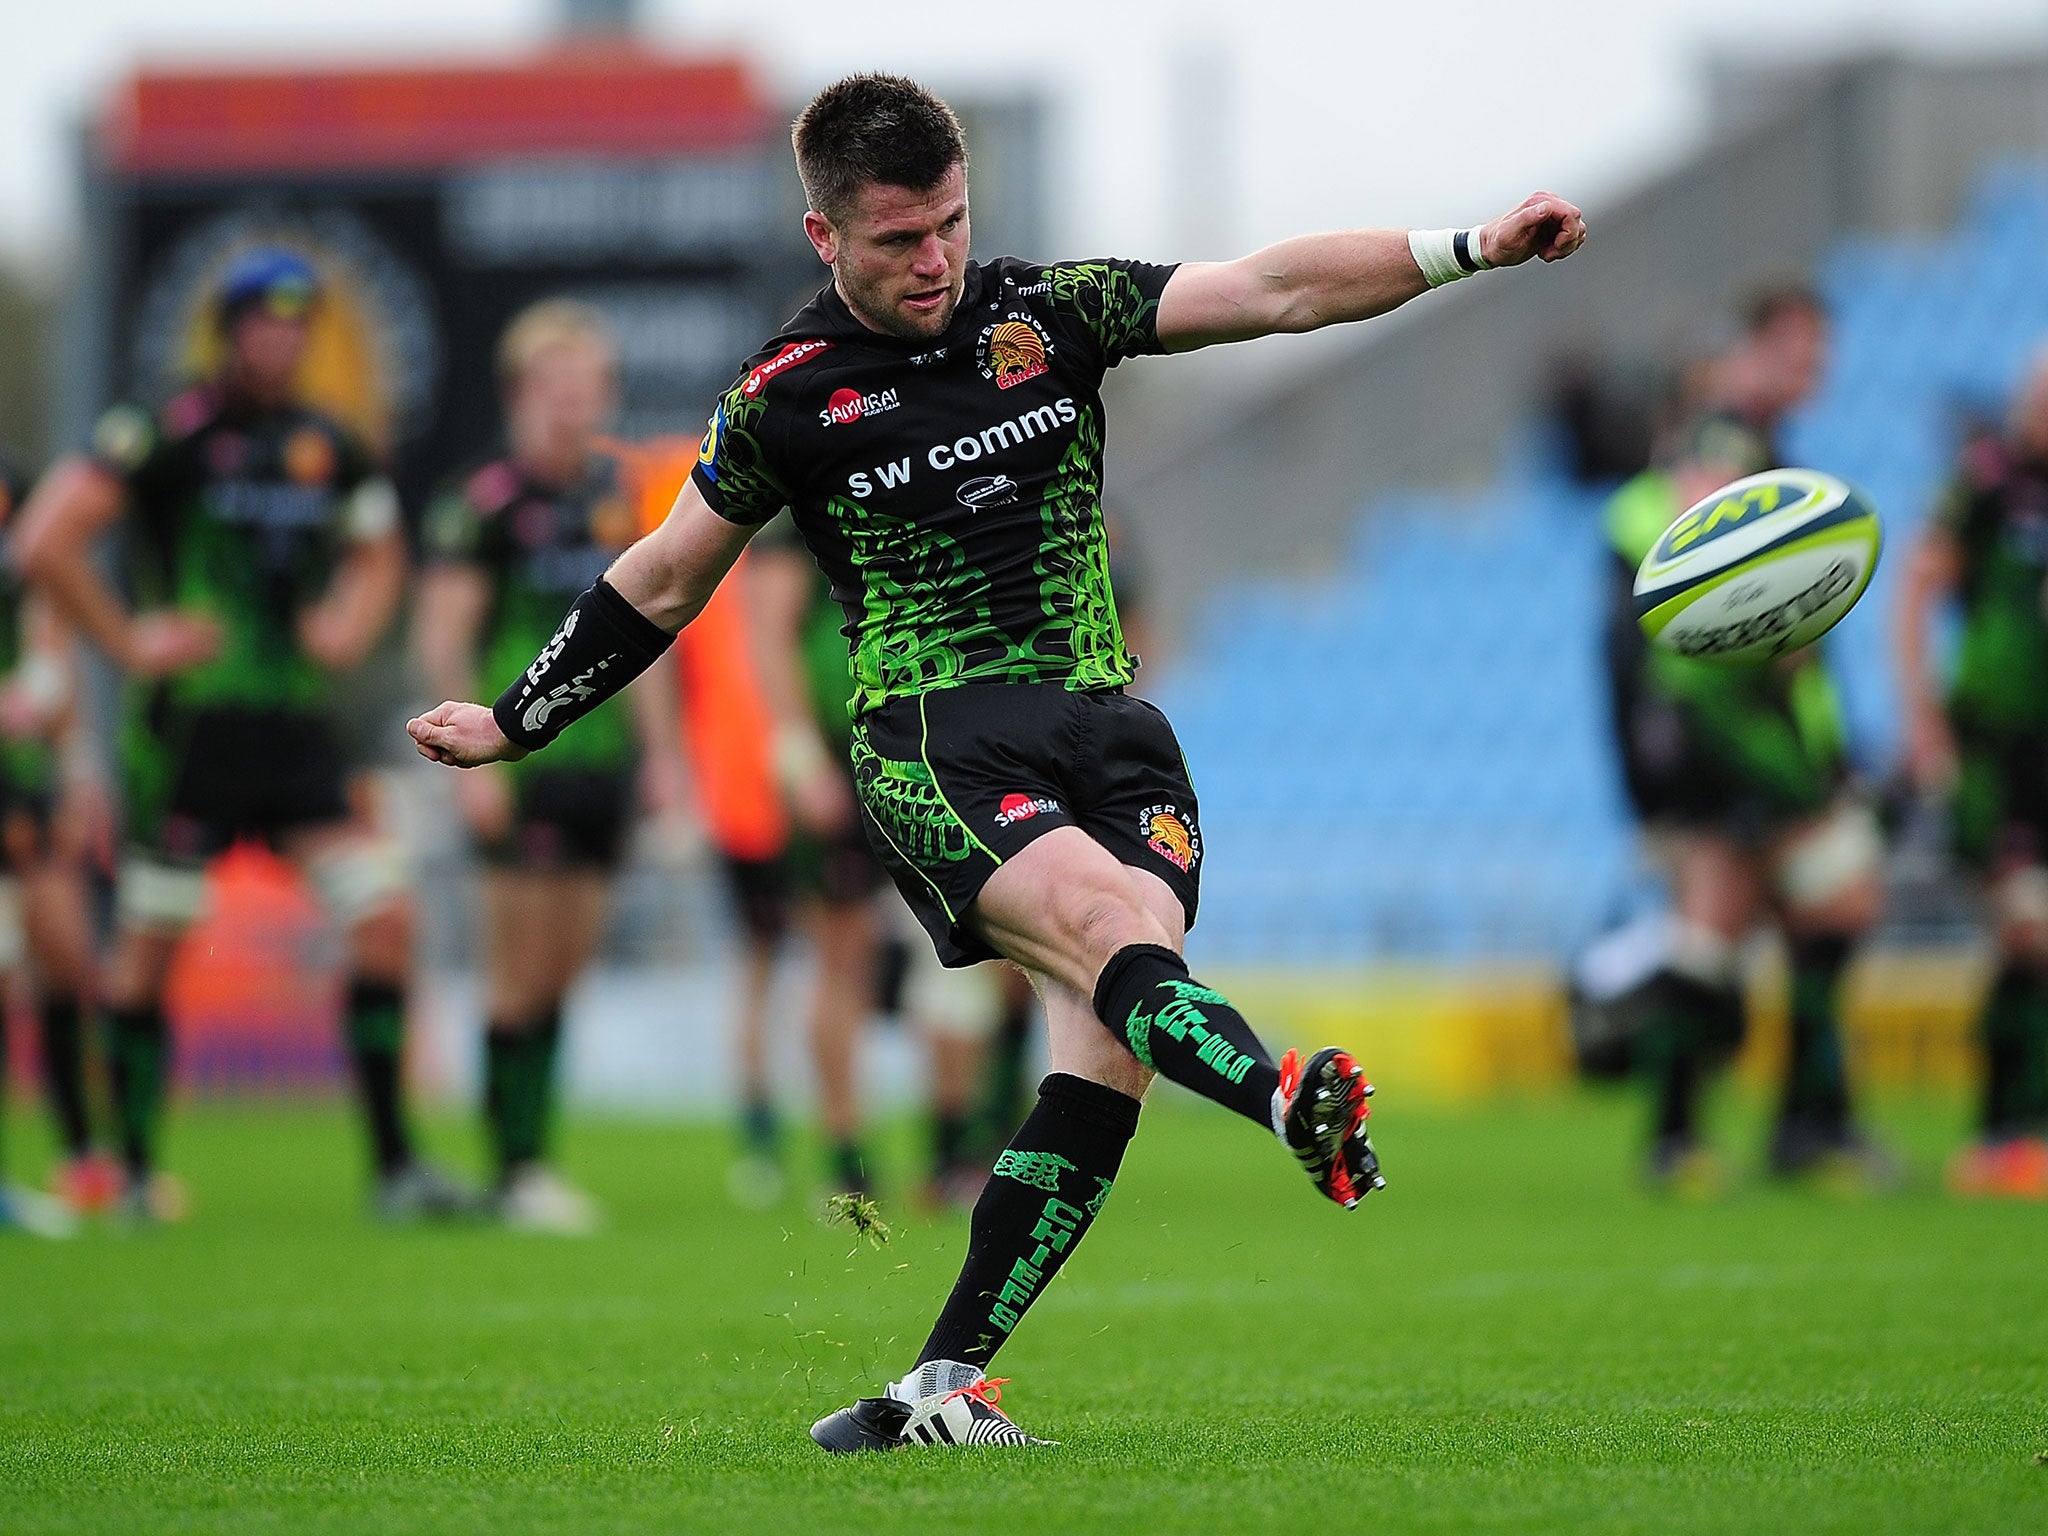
pixel 962 779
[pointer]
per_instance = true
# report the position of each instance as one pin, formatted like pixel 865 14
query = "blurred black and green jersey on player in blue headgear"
pixel 243 515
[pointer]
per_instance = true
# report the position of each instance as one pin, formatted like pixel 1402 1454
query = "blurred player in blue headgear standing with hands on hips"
pixel 263 562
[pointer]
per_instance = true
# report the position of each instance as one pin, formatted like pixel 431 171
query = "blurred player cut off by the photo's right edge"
pixel 1988 753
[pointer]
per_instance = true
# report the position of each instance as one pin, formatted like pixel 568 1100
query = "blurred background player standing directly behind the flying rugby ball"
pixel 1742 781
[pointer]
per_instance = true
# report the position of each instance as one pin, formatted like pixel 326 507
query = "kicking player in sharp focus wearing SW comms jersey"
pixel 935 425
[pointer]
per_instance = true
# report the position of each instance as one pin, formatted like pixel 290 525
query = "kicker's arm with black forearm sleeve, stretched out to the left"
pixel 654 589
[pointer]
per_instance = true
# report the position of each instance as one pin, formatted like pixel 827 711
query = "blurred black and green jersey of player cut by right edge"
pixel 1996 509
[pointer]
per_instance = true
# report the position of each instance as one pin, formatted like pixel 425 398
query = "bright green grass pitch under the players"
pixel 1510 1340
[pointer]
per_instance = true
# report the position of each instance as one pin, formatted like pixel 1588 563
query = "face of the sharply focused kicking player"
pixel 900 257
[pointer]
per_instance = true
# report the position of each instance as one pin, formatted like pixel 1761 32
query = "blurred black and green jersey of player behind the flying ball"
pixel 1766 734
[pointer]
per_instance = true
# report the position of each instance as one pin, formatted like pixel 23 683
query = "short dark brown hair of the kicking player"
pixel 873 128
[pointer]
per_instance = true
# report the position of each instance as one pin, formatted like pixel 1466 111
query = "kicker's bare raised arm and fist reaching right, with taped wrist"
pixel 1320 282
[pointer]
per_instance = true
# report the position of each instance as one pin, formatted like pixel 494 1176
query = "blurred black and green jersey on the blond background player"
pixel 540 548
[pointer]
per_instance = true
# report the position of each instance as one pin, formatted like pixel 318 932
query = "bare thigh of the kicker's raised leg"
pixel 1064 906
